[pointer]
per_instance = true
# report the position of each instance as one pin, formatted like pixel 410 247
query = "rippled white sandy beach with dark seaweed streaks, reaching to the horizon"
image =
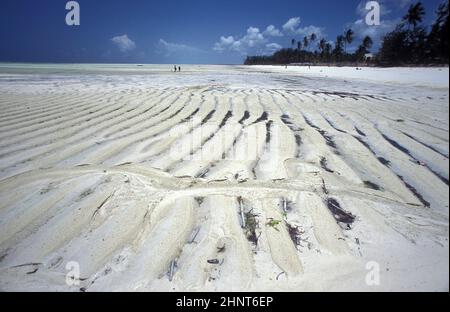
pixel 224 178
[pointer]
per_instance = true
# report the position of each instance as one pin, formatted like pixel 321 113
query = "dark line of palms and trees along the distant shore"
pixel 410 43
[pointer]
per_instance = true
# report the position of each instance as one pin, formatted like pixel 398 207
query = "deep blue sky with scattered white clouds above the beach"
pixel 179 31
